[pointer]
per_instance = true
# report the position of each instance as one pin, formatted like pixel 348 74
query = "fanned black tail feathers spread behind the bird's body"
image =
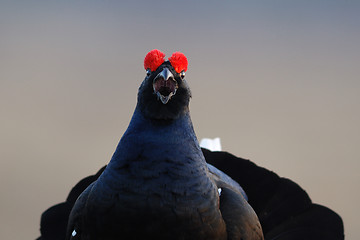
pixel 284 209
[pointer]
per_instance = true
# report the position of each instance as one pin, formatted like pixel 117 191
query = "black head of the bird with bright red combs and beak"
pixel 164 93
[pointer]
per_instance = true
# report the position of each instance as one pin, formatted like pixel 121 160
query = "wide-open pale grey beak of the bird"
pixel 165 85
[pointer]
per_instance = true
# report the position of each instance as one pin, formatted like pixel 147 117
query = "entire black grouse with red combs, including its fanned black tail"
pixel 278 207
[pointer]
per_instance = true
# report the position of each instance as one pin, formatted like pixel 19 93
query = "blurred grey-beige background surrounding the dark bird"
pixel 277 81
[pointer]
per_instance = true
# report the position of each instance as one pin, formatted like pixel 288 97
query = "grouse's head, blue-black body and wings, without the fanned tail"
pixel 158 184
